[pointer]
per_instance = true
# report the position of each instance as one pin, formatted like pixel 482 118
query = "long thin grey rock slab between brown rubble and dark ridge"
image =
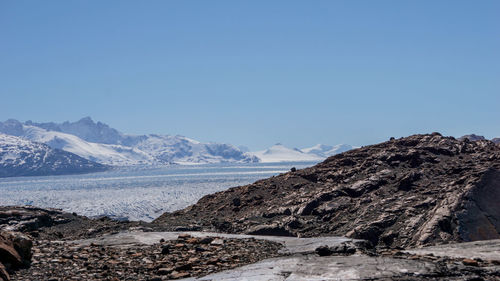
pixel 292 245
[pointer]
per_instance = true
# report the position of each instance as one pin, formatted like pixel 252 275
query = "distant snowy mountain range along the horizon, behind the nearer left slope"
pixel 102 144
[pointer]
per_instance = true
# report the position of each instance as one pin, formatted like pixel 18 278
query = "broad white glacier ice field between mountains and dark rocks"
pixel 134 193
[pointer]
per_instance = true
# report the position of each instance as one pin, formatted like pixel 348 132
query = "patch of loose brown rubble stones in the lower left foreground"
pixel 94 262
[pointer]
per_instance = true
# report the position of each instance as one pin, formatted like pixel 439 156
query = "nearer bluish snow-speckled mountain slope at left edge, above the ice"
pixel 21 157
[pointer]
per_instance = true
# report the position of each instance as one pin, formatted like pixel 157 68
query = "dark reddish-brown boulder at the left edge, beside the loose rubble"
pixel 15 253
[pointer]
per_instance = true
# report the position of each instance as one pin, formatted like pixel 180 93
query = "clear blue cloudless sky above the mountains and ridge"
pixel 256 72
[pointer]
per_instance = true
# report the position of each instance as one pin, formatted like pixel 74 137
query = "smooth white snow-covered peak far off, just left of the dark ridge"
pixel 281 153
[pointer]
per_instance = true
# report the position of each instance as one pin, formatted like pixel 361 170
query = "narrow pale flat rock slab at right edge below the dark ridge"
pixel 486 250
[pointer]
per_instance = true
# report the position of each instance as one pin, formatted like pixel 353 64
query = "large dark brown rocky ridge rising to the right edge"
pixel 413 191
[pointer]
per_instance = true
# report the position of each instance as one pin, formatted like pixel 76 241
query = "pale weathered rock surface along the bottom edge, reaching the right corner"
pixel 335 268
